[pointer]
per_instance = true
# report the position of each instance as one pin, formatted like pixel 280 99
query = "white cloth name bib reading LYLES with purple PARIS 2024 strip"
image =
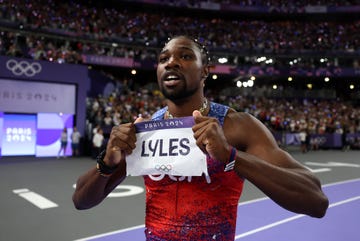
pixel 166 147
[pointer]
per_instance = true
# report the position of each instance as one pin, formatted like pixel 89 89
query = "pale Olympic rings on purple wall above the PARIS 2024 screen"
pixel 23 68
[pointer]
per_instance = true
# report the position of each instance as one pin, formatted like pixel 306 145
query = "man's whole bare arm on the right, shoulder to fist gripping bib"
pixel 263 163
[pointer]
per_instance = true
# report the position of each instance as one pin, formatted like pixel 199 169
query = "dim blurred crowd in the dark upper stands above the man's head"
pixel 64 31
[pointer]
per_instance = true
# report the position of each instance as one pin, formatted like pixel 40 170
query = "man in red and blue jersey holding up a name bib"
pixel 203 209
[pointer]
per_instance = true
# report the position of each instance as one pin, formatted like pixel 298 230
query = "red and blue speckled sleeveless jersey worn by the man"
pixel 193 208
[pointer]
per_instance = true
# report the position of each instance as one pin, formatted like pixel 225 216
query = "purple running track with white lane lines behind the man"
pixel 262 219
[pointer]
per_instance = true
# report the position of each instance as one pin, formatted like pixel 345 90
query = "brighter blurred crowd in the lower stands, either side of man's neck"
pixel 289 115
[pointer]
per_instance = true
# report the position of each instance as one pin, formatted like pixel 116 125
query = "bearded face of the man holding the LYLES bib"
pixel 180 69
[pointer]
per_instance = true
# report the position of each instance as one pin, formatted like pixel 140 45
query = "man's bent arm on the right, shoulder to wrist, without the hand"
pixel 277 173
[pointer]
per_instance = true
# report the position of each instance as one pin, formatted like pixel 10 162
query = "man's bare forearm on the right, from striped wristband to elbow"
pixel 291 185
